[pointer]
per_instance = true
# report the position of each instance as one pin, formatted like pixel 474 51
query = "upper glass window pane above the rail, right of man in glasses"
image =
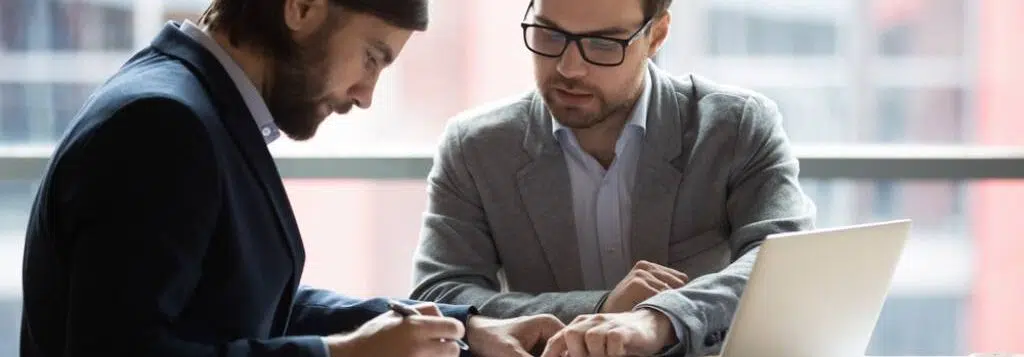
pixel 892 71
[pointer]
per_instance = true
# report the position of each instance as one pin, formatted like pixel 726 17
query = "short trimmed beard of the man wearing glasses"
pixel 578 117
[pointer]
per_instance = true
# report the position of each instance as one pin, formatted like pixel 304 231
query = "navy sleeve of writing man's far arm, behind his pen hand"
pixel 323 313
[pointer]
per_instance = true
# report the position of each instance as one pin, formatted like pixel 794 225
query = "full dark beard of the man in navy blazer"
pixel 297 98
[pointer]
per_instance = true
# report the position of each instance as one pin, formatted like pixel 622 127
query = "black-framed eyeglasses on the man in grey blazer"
pixel 601 51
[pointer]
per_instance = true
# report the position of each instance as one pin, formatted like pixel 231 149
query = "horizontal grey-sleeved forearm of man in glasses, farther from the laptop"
pixel 566 306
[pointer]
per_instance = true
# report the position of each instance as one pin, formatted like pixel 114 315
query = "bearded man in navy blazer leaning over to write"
pixel 162 228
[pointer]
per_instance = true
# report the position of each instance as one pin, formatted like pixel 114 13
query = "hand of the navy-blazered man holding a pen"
pixel 391 335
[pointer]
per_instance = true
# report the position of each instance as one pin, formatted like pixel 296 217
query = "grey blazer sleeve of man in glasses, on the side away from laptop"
pixel 457 261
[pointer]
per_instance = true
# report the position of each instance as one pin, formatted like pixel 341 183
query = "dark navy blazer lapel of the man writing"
pixel 241 126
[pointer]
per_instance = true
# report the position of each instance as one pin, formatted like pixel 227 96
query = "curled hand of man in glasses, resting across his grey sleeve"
pixel 646 281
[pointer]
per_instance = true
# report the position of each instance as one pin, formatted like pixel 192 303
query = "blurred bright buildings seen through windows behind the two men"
pixel 844 72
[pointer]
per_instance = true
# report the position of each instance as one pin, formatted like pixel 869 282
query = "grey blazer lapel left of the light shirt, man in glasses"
pixel 546 192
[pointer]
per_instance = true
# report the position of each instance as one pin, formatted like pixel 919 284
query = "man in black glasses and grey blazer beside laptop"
pixel 616 197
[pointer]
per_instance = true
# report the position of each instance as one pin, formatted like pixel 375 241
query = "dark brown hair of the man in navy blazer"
pixel 261 23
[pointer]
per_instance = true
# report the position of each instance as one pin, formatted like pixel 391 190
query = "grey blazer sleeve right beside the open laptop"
pixel 764 198
